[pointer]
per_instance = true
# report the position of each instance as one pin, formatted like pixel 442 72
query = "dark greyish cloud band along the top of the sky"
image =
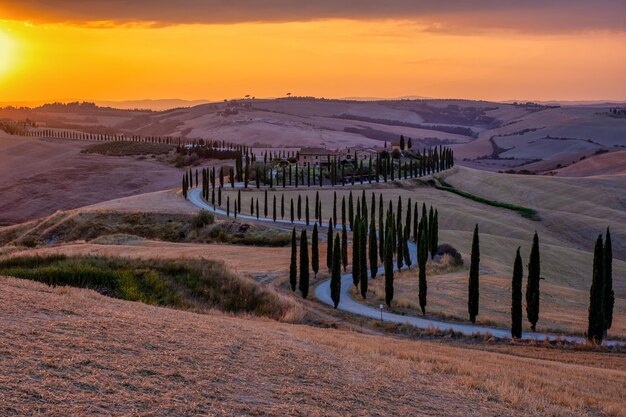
pixel 439 15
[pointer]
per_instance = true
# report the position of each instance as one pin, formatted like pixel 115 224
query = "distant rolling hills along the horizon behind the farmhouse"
pixel 486 135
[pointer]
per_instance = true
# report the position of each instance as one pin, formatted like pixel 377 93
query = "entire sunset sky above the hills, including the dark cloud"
pixel 216 49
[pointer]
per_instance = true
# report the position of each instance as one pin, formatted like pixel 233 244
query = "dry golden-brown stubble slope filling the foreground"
pixel 75 352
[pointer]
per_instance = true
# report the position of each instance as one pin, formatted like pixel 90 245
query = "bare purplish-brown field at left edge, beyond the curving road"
pixel 42 176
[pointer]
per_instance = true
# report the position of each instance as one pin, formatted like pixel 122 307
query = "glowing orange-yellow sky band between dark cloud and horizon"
pixel 323 58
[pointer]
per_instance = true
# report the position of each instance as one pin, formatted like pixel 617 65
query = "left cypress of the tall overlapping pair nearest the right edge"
pixel 595 331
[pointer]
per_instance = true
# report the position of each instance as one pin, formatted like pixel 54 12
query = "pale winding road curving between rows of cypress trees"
pixel 348 304
